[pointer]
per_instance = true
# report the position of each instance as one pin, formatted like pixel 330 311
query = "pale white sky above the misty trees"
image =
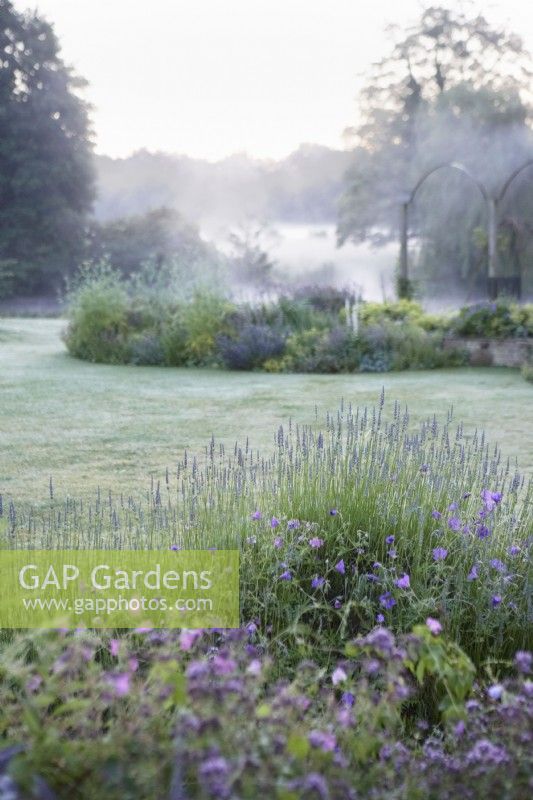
pixel 209 78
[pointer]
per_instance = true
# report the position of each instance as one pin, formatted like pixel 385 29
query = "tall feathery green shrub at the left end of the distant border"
pixel 98 309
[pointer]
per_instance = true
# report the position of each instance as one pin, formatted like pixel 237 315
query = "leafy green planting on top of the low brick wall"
pixel 495 320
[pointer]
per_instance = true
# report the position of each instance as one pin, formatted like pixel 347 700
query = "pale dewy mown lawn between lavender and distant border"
pixel 88 425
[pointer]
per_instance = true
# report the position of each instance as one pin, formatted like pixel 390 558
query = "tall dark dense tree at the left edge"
pixel 46 170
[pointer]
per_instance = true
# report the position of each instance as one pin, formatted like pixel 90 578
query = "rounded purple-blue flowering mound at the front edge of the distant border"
pixel 251 347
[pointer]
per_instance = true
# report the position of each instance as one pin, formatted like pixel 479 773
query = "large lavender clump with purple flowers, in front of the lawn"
pixel 364 521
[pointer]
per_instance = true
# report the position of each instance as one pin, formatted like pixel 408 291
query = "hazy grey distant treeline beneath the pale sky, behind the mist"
pixel 304 187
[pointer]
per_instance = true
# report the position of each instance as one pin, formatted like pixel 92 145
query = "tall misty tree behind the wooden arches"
pixel 452 88
